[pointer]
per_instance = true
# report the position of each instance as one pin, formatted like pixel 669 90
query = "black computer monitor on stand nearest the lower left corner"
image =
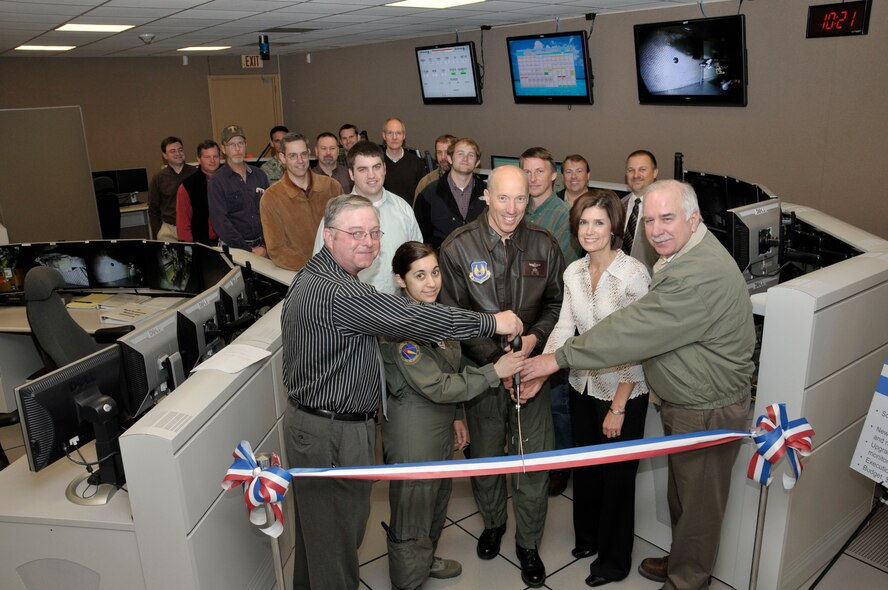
pixel 70 406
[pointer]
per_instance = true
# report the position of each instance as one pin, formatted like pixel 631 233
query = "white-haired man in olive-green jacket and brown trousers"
pixel 695 329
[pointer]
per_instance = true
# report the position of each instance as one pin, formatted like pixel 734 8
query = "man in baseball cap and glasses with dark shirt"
pixel 233 194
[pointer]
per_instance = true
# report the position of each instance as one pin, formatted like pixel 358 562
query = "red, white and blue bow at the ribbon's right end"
pixel 775 436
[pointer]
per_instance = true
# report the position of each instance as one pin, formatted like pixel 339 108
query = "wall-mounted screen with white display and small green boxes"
pixel 448 74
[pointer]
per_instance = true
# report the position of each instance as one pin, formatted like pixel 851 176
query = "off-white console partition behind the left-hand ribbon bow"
pixel 191 534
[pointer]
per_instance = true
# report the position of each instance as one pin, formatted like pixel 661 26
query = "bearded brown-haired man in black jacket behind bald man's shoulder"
pixel 456 198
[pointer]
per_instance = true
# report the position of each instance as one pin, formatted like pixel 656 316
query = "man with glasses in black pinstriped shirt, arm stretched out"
pixel 332 372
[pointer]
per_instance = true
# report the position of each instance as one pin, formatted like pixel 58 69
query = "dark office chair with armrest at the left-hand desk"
pixel 58 338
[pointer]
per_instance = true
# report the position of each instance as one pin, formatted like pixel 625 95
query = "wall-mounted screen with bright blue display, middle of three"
pixel 550 68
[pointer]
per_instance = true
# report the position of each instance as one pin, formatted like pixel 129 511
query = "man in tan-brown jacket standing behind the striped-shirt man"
pixel 294 205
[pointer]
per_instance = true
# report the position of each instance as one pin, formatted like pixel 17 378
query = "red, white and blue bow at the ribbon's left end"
pixel 261 487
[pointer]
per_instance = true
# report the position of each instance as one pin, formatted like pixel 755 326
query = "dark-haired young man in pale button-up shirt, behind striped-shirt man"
pixel 367 169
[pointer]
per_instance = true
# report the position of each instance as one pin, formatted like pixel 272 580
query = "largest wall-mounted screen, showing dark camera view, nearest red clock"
pixel 692 62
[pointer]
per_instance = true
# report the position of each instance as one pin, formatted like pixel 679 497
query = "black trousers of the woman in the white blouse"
pixel 604 495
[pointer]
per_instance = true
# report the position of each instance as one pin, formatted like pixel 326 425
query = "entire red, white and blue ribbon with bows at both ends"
pixel 775 436
